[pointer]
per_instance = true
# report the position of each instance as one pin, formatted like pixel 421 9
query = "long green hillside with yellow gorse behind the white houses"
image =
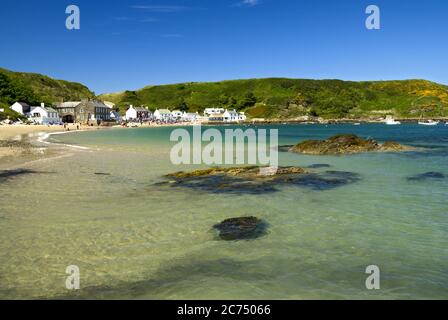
pixel 290 98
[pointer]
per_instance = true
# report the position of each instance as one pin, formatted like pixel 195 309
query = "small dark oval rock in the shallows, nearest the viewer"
pixel 243 228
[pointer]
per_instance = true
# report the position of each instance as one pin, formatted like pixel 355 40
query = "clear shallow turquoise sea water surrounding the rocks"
pixel 132 238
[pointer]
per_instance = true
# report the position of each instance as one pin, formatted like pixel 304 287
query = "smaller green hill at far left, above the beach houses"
pixel 35 88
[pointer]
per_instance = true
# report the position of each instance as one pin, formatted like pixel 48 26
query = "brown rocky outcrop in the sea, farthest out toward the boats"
pixel 346 144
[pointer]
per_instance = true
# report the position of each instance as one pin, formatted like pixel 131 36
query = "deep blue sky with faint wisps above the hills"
pixel 129 44
